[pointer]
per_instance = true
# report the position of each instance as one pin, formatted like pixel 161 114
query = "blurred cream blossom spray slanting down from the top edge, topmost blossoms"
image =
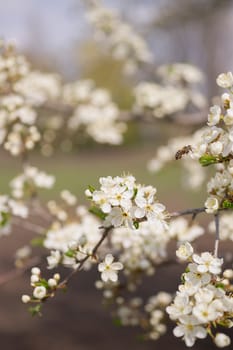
pixel 124 44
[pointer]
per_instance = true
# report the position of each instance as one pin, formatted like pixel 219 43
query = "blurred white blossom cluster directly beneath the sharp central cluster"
pixel 141 250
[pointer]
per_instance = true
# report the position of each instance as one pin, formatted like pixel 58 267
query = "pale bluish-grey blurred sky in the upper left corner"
pixel 41 25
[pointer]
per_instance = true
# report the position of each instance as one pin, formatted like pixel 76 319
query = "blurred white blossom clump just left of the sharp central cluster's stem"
pixel 72 240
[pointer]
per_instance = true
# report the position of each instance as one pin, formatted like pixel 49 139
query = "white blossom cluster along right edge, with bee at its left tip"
pixel 214 145
